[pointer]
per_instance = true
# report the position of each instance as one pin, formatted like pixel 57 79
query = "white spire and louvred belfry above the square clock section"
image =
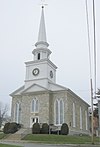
pixel 41 51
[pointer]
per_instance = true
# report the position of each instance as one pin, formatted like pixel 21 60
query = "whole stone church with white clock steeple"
pixel 41 99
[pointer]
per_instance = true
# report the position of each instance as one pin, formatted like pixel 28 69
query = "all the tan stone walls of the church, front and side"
pixel 46 113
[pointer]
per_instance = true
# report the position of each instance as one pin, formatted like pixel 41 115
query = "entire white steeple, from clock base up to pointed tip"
pixel 41 70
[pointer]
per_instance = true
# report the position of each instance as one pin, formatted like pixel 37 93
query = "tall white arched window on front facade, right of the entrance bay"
pixel 59 111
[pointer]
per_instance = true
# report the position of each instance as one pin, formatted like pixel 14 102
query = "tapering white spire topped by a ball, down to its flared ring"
pixel 42 40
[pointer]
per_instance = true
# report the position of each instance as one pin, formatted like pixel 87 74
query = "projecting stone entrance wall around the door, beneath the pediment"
pixel 42 114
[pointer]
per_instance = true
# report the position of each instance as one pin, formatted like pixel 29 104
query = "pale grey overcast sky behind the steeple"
pixel 66 34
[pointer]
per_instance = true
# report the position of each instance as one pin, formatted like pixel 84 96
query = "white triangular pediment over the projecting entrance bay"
pixel 34 88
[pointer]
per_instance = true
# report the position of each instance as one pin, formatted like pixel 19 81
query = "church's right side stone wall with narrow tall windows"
pixel 71 98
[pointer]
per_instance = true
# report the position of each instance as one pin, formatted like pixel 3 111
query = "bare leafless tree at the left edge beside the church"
pixel 3 112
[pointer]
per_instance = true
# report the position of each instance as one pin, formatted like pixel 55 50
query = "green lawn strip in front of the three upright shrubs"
pixel 60 139
